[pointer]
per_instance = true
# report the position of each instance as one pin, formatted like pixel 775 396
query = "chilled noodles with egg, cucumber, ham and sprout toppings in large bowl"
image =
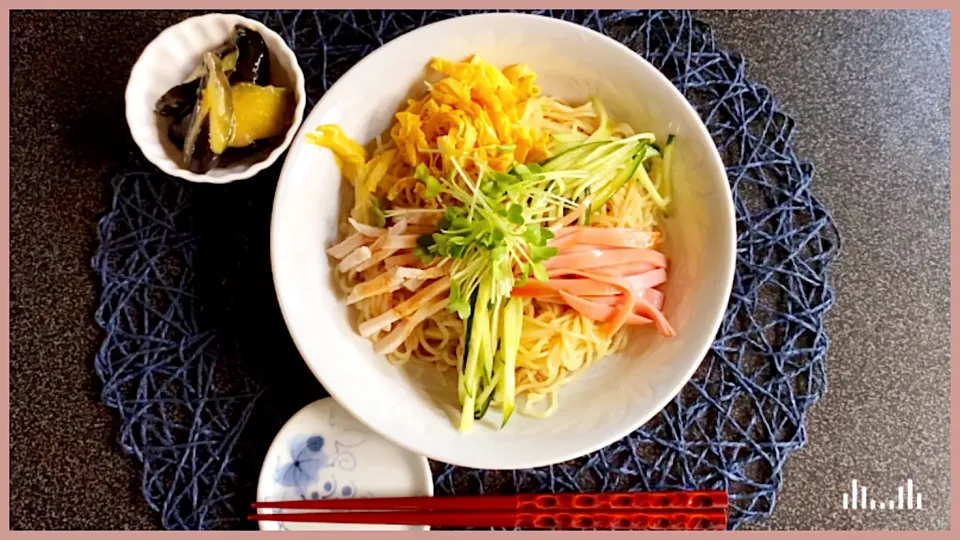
pixel 502 233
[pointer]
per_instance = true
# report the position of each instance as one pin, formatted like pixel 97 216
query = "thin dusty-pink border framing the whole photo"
pixel 430 4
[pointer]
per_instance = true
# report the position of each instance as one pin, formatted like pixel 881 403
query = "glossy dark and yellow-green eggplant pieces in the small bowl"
pixel 225 110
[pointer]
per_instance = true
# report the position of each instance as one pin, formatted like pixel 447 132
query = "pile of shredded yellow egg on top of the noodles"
pixel 477 112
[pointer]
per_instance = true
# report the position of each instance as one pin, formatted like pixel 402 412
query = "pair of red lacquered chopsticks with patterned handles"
pixel 673 510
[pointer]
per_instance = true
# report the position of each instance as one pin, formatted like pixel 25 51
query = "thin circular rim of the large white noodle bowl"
pixel 726 276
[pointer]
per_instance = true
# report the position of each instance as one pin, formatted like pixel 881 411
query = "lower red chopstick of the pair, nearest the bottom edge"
pixel 560 520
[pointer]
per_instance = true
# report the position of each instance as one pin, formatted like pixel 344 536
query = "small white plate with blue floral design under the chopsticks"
pixel 324 453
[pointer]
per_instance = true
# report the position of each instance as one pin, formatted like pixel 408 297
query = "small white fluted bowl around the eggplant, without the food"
pixel 168 59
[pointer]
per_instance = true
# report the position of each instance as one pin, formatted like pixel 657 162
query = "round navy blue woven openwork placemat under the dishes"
pixel 198 364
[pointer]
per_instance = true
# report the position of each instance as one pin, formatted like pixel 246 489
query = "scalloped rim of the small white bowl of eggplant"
pixel 171 168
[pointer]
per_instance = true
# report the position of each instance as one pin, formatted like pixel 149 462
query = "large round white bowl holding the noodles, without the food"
pixel 412 406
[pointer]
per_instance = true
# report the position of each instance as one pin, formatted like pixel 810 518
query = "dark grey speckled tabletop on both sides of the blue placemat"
pixel 869 90
